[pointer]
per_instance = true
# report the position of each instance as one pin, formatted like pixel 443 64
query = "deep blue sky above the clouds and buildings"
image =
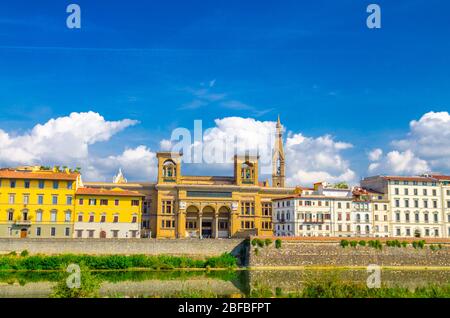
pixel 166 63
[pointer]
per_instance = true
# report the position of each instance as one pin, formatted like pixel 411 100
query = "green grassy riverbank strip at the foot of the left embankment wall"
pixel 113 262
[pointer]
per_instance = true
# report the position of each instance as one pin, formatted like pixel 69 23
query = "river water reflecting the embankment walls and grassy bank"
pixel 208 283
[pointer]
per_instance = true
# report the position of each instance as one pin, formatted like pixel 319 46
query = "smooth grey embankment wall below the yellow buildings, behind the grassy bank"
pixel 188 247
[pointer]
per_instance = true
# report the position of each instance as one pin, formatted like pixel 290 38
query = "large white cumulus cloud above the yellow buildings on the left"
pixel 67 141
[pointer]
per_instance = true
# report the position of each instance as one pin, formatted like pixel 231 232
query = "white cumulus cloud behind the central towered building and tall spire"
pixel 308 159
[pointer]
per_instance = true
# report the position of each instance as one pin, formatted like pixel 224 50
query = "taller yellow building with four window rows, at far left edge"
pixel 37 202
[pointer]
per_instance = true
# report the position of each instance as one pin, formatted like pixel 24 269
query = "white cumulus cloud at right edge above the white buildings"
pixel 425 148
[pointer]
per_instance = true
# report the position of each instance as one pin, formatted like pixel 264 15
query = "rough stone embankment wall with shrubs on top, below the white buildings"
pixel 298 253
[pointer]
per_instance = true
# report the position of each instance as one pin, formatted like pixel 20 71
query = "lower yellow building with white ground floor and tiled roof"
pixel 103 213
